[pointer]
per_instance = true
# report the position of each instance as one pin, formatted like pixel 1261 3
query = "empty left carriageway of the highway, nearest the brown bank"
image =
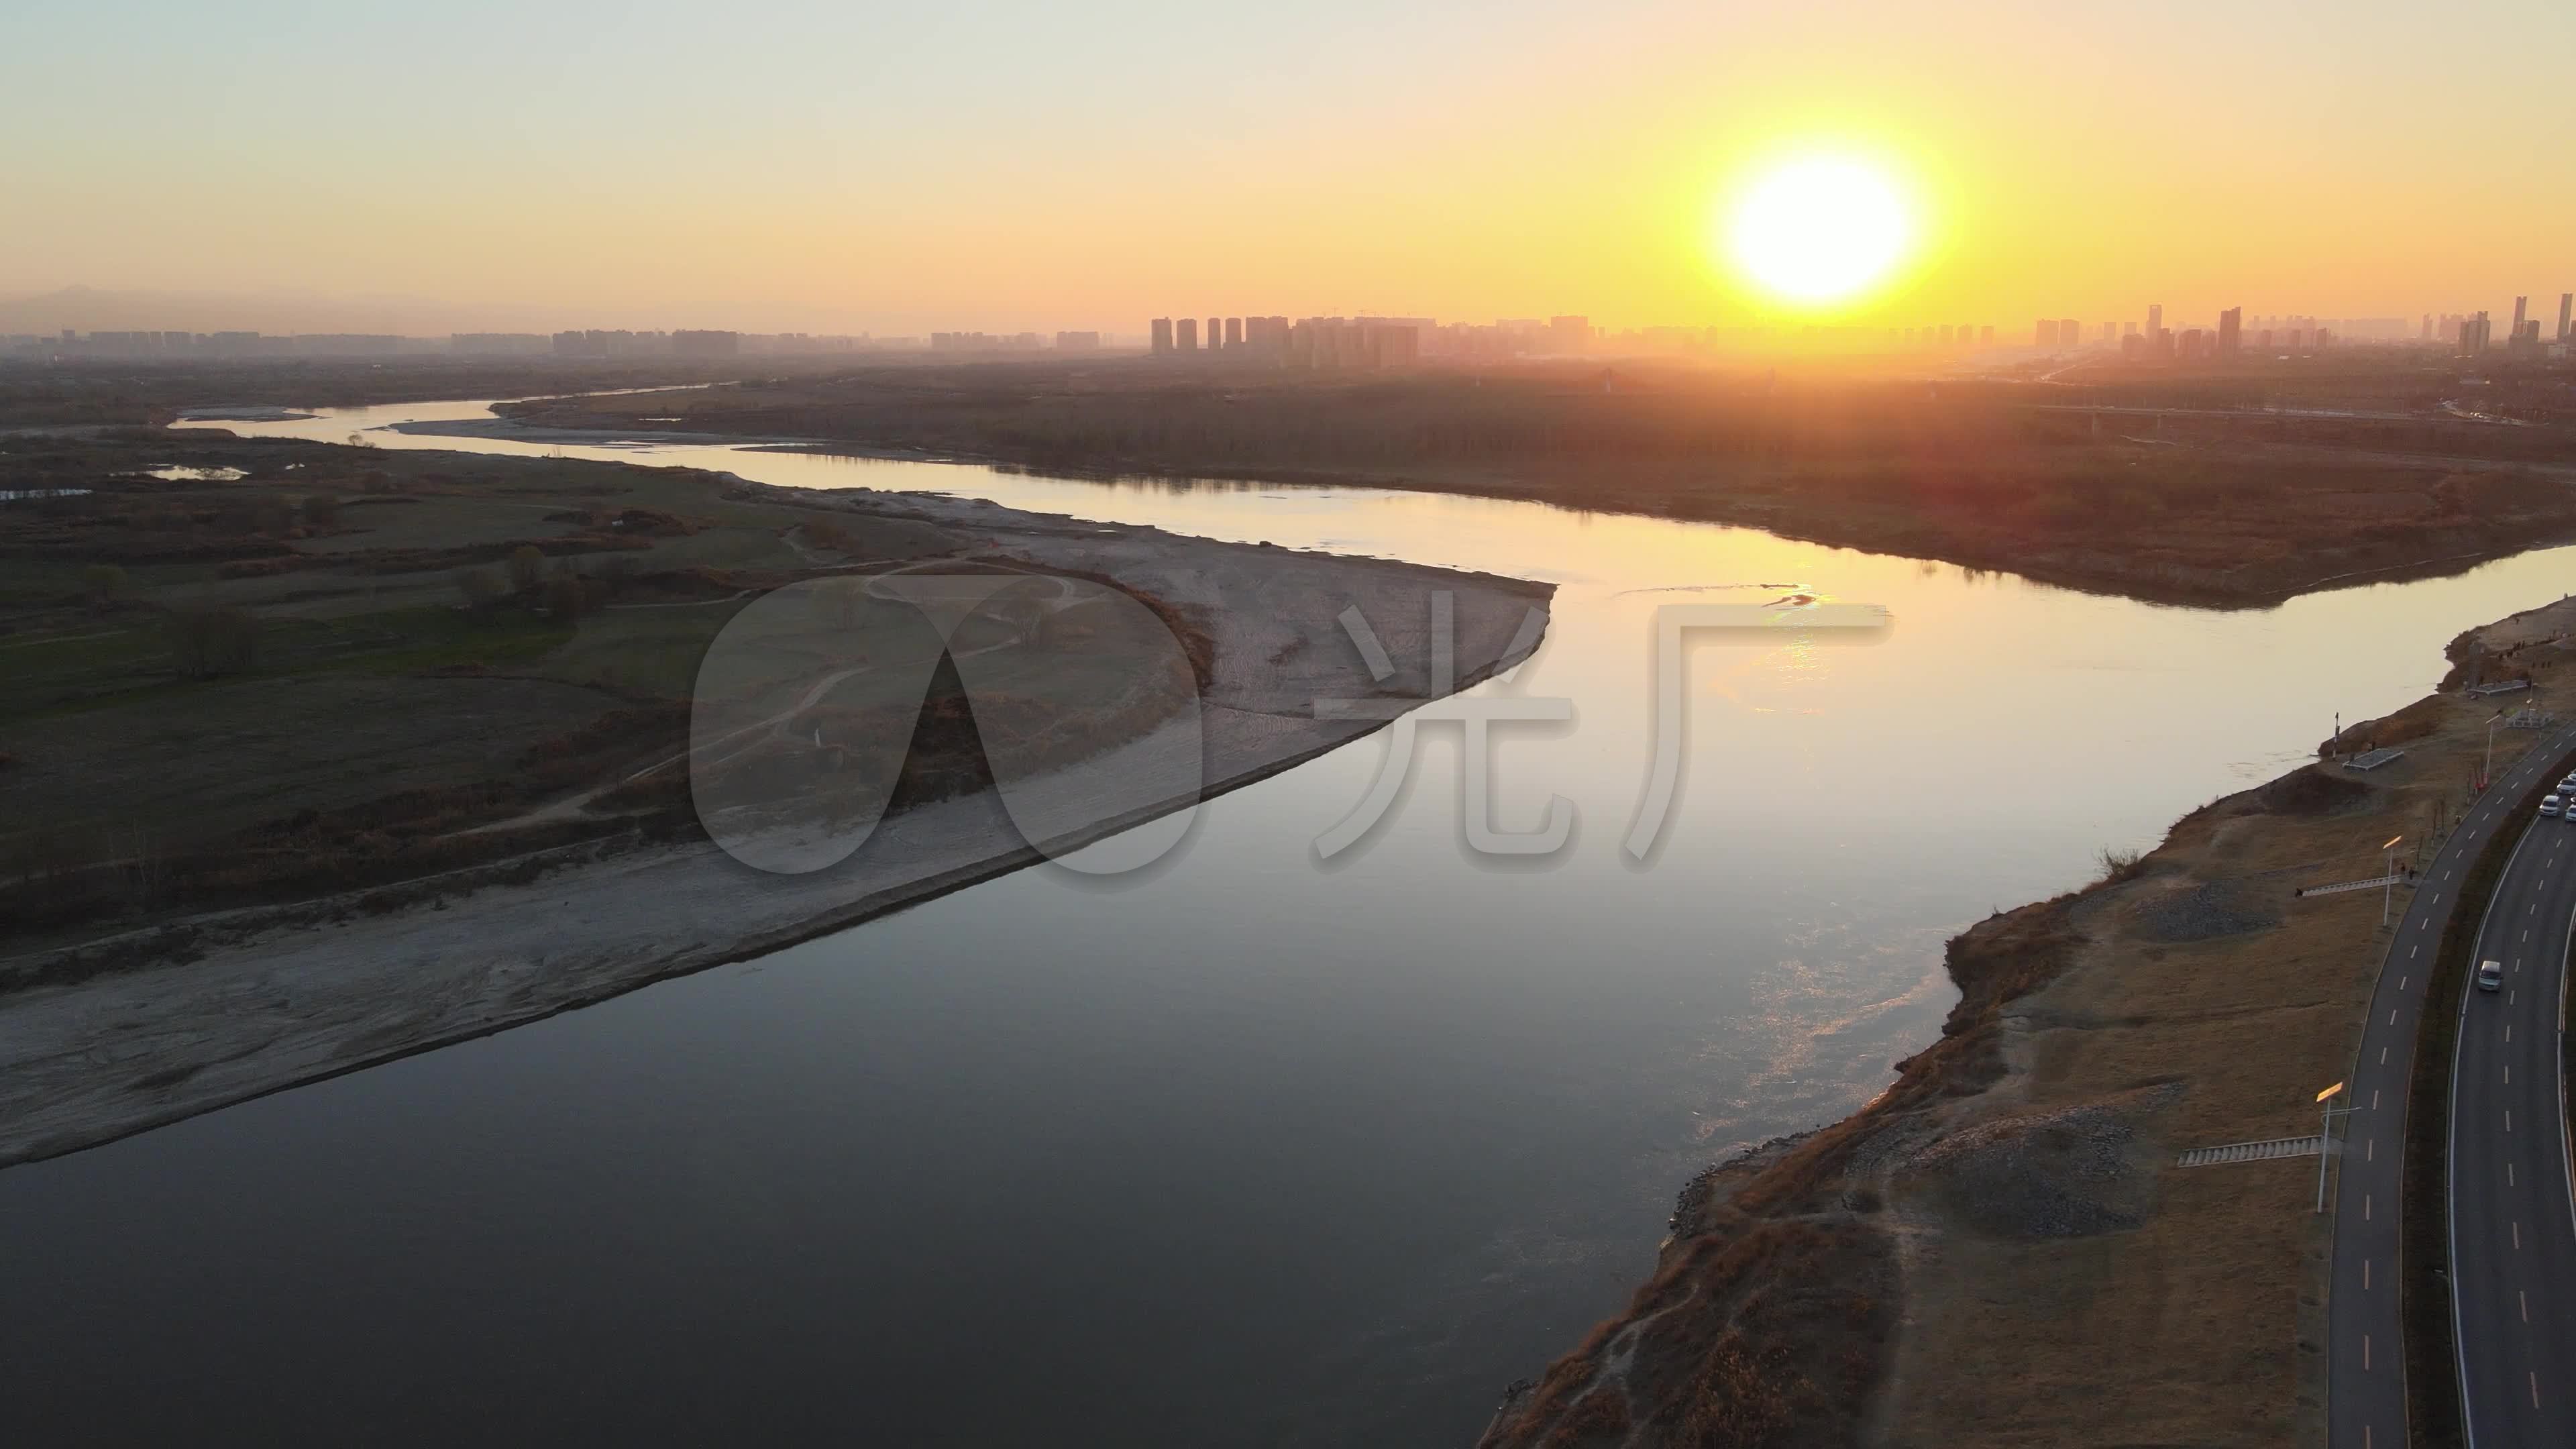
pixel 2366 1347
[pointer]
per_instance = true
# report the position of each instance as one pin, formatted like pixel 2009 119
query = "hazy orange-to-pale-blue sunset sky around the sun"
pixel 774 164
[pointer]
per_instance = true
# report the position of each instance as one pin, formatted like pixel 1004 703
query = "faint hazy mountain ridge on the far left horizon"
pixel 99 311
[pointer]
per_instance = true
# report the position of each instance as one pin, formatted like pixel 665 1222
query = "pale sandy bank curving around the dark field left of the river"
pixel 274 999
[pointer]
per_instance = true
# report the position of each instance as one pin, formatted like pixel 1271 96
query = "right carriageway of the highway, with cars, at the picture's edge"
pixel 2513 1223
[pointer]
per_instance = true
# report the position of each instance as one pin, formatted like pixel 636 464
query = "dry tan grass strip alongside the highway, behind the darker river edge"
pixel 2204 1324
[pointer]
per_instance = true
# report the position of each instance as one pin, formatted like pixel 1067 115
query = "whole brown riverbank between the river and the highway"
pixel 2003 1249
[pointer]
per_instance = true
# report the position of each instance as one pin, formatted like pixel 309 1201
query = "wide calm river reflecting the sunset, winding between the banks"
pixel 1238 1151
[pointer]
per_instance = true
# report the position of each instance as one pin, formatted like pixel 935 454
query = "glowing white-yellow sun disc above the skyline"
pixel 1820 228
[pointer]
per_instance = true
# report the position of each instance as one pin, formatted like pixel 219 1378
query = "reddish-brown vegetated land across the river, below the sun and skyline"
pixel 2211 504
